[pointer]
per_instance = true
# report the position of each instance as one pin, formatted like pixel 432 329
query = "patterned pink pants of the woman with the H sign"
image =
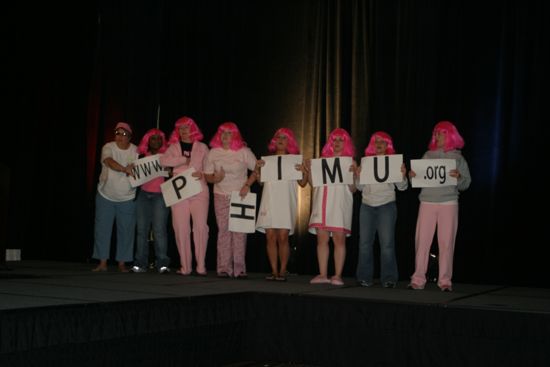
pixel 231 245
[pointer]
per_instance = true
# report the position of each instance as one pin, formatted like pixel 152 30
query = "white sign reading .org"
pixel 432 172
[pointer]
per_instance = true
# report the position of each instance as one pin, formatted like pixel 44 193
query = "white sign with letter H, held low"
pixel 242 213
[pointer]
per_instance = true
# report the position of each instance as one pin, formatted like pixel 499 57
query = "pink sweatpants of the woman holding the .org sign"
pixel 445 218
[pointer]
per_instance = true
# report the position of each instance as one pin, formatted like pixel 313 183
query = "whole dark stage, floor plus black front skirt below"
pixel 288 322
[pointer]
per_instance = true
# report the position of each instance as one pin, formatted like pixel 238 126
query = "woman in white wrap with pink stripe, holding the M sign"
pixel 332 210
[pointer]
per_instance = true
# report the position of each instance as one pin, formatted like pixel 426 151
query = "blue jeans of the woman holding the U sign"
pixel 379 219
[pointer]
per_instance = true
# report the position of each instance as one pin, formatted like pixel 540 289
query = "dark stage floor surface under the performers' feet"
pixel 29 284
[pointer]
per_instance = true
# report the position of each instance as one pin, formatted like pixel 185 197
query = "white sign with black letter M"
pixel 331 171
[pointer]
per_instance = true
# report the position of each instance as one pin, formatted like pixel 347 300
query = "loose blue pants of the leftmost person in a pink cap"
pixel 106 213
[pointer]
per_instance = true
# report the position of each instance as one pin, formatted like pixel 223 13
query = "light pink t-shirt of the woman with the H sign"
pixel 235 164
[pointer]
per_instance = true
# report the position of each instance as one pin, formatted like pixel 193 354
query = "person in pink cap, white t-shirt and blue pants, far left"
pixel 115 200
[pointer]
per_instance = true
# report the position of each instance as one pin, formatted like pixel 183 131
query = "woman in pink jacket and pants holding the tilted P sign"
pixel 185 150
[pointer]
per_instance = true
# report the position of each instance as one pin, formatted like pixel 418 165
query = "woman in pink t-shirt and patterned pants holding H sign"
pixel 227 166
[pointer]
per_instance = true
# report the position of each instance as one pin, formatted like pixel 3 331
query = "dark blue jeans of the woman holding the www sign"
pixel 151 211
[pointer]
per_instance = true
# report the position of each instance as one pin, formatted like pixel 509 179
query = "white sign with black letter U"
pixel 381 169
